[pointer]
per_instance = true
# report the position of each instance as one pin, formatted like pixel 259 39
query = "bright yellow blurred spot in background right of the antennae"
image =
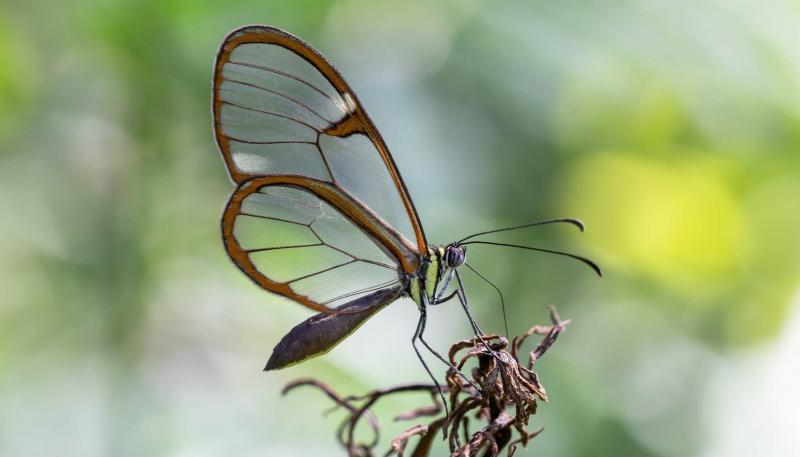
pixel 672 219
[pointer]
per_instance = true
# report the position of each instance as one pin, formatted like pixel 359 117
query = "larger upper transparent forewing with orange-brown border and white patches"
pixel 280 108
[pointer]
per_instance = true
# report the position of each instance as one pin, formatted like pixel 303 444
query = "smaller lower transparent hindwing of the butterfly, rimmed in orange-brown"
pixel 299 238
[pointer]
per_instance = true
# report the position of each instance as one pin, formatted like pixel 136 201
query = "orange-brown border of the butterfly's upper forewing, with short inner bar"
pixel 356 122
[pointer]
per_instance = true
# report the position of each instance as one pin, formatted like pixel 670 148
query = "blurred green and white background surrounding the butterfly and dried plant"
pixel 671 128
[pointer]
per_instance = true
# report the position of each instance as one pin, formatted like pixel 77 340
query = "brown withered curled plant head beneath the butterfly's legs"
pixel 503 398
